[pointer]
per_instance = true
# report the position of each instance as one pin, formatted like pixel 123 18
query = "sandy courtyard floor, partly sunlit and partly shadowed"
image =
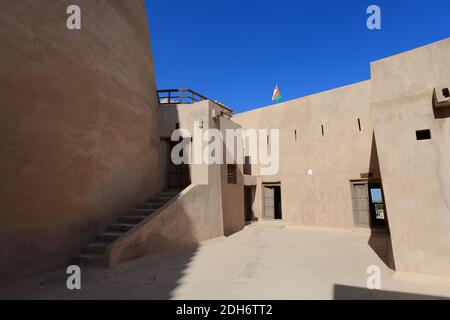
pixel 264 261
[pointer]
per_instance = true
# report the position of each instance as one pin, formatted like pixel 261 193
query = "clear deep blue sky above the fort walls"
pixel 235 51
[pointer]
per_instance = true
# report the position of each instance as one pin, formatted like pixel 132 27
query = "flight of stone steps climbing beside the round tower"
pixel 94 253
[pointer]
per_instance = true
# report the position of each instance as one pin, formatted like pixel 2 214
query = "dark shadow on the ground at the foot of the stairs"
pixel 131 280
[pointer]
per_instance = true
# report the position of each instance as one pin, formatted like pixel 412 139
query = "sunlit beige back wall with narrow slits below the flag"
pixel 342 154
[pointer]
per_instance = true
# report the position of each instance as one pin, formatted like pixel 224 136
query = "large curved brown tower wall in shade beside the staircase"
pixel 78 127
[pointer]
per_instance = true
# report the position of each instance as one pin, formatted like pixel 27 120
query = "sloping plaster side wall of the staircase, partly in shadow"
pixel 194 216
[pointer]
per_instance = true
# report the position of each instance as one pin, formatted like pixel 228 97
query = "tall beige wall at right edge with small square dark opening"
pixel 416 174
